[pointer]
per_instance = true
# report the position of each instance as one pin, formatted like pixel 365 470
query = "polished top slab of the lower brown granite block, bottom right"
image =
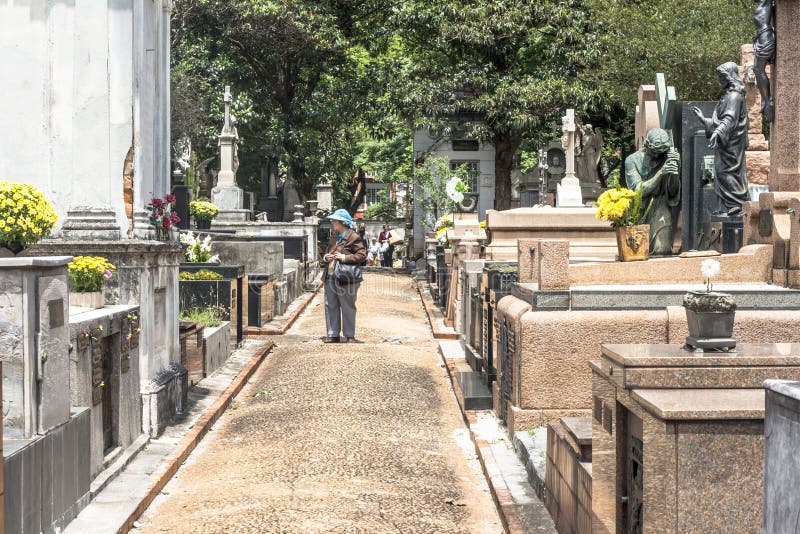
pixel 702 404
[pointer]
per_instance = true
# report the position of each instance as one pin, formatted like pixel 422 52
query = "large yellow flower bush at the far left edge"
pixel 26 217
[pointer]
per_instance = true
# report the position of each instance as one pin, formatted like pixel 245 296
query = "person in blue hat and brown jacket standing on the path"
pixel 342 260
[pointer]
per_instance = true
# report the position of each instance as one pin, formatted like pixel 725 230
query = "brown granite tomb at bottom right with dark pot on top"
pixel 678 436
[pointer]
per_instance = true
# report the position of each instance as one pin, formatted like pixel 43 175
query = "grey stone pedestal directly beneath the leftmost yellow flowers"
pixel 34 342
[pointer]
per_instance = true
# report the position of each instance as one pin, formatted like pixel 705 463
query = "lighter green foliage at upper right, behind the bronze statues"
pixel 684 39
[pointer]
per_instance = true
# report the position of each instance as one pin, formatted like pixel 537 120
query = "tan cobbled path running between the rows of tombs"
pixel 338 438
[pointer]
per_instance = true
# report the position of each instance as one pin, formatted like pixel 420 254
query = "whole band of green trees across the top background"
pixel 336 85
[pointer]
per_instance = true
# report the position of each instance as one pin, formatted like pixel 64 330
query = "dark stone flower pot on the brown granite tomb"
pixel 710 317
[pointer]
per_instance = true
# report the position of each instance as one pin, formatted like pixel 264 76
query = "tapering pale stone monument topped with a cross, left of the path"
pixel 227 195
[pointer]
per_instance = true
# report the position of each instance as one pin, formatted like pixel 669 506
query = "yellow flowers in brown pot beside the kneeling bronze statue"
pixel 622 207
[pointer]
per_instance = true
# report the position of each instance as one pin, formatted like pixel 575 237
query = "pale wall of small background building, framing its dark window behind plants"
pixel 423 143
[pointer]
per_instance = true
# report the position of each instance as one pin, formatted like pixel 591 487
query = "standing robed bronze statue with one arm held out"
pixel 727 134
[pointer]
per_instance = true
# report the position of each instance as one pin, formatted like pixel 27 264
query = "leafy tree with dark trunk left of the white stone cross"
pixel 498 70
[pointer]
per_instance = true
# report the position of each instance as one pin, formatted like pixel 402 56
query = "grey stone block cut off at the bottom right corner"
pixel 781 461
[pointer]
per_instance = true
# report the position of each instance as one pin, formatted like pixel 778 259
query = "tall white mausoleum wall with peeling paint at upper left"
pixel 84 79
